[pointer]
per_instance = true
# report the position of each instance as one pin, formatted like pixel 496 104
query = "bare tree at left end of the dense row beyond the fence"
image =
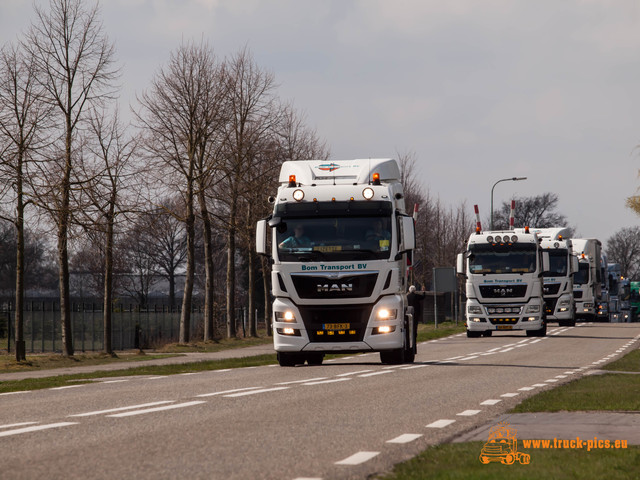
pixel 177 114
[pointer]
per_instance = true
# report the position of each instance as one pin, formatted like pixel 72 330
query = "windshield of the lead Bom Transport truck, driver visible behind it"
pixel 334 238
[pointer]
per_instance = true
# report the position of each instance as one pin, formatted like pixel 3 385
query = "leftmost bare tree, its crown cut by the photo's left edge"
pixel 23 117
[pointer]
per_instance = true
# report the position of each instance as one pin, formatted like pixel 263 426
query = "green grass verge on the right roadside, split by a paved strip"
pixel 612 391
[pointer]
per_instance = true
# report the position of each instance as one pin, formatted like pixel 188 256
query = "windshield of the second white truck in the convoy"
pixel 515 258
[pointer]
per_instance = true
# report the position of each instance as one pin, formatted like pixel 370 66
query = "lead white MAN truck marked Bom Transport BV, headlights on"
pixel 341 245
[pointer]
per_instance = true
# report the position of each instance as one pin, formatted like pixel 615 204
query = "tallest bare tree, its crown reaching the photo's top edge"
pixel 75 65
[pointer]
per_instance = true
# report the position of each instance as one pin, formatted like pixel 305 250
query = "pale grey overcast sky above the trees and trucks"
pixel 477 90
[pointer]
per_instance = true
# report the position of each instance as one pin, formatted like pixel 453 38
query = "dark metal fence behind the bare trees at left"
pixel 132 327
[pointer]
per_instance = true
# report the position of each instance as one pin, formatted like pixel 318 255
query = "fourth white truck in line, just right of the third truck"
pixel 587 282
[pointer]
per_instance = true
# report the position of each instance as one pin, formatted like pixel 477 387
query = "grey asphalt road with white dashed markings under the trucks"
pixel 348 418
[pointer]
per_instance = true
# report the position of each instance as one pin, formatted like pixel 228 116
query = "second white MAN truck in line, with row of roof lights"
pixel 504 283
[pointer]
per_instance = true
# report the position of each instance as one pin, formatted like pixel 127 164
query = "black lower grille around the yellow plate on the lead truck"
pixel 316 317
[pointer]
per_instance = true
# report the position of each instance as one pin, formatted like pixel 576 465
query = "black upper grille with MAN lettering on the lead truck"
pixel 339 286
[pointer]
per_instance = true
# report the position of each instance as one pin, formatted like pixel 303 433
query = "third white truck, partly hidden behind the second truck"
pixel 558 280
